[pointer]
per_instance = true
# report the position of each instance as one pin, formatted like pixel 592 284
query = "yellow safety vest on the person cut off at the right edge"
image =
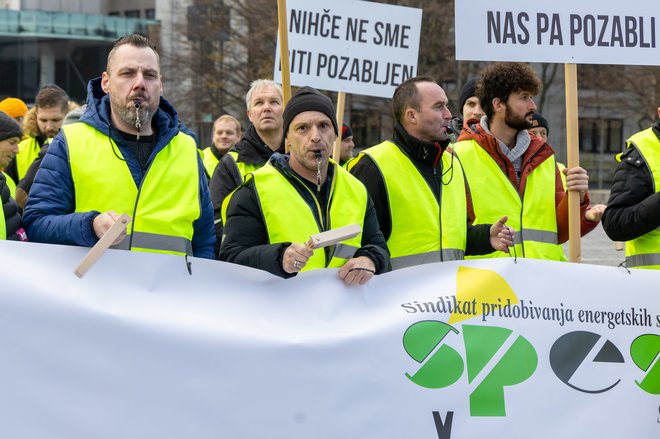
pixel 644 251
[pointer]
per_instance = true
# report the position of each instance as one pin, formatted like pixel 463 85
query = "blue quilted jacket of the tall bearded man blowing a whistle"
pixel 50 211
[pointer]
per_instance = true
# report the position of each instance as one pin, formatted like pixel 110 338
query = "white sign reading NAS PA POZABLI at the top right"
pixel 559 31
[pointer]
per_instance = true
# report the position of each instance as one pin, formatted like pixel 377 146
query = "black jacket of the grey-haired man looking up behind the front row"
pixel 227 177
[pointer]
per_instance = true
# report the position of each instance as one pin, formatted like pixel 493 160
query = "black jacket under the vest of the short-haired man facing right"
pixel 426 158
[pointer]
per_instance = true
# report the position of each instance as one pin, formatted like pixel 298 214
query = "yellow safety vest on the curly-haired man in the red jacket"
pixel 533 217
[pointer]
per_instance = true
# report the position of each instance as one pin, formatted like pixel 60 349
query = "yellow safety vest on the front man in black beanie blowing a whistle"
pixel 289 218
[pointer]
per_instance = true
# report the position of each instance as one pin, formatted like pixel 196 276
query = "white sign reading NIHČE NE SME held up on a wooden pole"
pixel 356 47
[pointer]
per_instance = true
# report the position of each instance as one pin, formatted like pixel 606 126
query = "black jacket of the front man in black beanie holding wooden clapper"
pixel 246 237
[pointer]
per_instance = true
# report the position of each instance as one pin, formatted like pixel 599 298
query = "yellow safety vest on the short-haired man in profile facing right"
pixel 414 210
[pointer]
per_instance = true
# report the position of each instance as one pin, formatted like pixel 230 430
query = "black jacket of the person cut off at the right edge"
pixel 633 209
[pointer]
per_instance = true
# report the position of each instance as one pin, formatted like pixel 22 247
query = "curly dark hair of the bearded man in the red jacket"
pixel 499 80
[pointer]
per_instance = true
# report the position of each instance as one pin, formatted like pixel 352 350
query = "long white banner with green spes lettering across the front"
pixel 139 348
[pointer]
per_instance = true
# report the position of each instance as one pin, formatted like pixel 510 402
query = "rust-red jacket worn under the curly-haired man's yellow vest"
pixel 537 152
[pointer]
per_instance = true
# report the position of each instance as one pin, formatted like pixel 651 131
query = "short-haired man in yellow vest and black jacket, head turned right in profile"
pixel 417 189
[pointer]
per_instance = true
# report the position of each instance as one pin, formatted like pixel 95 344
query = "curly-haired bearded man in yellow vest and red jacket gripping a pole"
pixel 508 171
